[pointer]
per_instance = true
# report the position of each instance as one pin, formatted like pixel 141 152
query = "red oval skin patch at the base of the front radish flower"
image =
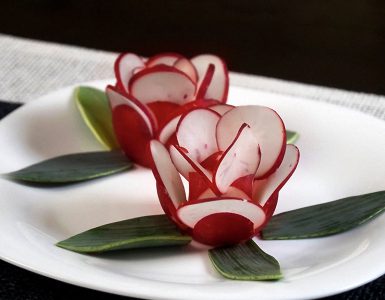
pixel 223 229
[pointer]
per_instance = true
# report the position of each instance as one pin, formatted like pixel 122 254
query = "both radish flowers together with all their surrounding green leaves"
pixel 169 113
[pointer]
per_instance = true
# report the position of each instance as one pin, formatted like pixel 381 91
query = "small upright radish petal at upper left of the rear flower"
pixel 124 68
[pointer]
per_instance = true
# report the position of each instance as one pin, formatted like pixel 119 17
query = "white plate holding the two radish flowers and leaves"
pixel 341 154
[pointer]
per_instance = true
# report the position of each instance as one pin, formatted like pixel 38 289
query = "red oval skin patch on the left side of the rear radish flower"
pixel 129 126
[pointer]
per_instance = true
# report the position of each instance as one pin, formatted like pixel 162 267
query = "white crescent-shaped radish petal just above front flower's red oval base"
pixel 193 211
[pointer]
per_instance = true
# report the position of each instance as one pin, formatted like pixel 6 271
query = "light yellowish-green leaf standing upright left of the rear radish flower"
pixel 94 108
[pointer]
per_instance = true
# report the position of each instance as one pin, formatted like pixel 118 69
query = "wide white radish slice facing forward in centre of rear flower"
pixel 162 83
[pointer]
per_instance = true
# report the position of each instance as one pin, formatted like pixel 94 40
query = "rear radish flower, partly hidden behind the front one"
pixel 150 96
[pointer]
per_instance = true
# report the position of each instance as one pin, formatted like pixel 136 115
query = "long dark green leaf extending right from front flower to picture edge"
pixel 325 219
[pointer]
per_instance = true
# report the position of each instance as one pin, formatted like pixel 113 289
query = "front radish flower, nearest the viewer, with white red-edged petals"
pixel 235 160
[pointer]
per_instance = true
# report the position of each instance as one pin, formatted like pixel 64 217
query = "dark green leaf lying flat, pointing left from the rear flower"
pixel 73 168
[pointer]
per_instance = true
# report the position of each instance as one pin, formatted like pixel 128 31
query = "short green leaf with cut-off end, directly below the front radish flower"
pixel 245 262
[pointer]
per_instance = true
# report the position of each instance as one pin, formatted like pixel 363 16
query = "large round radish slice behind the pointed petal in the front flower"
pixel 267 127
